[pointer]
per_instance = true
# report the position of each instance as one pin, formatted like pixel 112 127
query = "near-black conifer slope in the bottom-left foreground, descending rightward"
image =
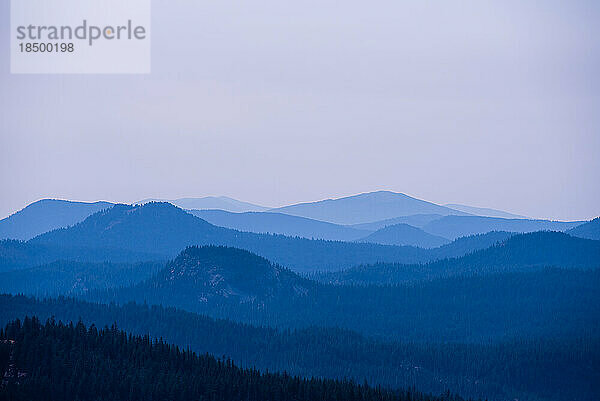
pixel 71 362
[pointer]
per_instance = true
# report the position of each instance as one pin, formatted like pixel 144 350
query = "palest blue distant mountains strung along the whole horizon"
pixel 333 219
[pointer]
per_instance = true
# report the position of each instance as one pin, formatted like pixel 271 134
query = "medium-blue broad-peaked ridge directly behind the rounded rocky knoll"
pixel 165 229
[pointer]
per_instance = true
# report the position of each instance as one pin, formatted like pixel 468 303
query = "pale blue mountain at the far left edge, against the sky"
pixel 45 215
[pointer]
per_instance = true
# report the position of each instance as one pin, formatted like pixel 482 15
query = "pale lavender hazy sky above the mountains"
pixel 486 103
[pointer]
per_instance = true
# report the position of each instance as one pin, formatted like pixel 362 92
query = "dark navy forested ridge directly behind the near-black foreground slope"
pixel 532 369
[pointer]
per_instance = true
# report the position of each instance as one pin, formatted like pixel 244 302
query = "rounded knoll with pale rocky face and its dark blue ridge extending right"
pixel 491 305
